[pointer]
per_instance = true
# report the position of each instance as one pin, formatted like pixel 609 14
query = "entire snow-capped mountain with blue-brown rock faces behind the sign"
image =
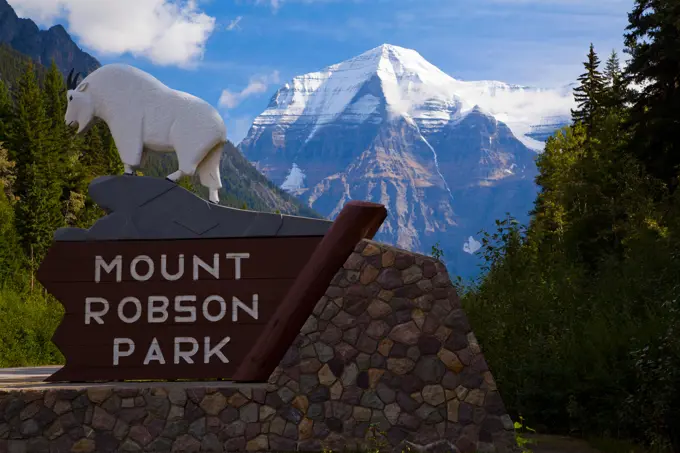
pixel 447 157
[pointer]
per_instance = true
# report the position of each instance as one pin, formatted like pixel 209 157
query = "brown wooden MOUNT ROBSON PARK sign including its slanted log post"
pixel 192 308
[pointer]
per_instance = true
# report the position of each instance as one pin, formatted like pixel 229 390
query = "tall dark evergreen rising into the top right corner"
pixel 653 40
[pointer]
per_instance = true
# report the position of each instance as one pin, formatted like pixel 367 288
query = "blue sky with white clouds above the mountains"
pixel 252 46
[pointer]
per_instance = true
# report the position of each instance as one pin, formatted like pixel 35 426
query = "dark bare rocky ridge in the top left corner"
pixel 43 46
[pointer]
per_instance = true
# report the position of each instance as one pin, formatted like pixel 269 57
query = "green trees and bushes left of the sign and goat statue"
pixel 44 174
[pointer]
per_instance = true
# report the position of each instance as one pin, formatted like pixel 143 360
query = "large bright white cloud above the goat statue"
pixel 167 32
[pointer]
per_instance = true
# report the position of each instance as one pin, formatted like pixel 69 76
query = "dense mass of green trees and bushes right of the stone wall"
pixel 578 312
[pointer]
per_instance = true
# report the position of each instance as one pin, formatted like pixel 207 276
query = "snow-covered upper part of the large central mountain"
pixel 403 84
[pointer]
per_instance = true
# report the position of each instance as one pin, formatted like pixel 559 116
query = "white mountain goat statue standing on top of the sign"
pixel 144 114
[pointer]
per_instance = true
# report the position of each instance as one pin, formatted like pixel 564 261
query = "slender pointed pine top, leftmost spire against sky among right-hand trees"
pixel 588 94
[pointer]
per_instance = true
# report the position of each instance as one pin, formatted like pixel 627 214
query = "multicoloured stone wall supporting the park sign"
pixel 387 360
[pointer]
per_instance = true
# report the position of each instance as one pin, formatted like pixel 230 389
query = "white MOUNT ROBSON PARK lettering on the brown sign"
pixel 180 309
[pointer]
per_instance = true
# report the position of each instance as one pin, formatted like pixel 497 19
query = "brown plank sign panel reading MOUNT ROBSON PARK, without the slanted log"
pixel 146 308
